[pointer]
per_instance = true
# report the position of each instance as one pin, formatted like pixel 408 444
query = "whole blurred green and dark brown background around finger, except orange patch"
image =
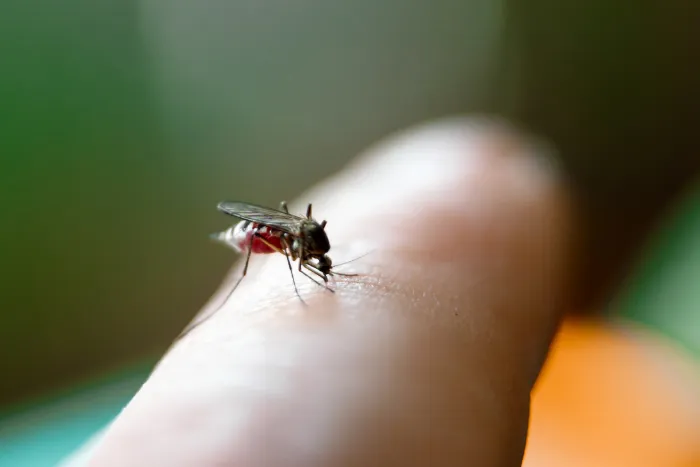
pixel 122 123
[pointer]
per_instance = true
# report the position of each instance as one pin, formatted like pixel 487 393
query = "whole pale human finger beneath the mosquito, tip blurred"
pixel 427 358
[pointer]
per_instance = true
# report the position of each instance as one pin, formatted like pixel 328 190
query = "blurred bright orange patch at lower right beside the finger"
pixel 615 396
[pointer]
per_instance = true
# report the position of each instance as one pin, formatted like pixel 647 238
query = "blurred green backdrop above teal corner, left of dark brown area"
pixel 124 123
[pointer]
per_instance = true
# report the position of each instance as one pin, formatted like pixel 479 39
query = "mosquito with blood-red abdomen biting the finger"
pixel 265 230
